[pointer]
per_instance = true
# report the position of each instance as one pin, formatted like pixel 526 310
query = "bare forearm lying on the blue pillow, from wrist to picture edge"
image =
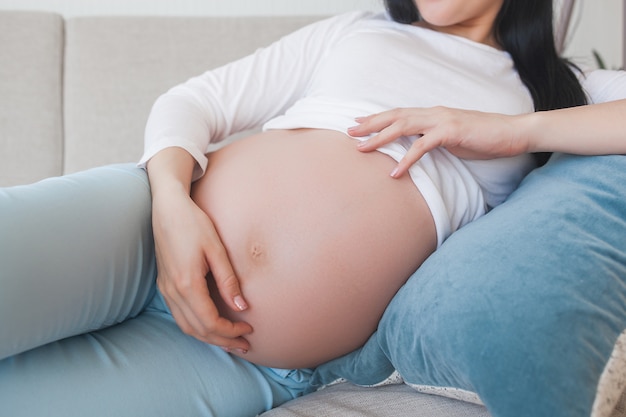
pixel 595 129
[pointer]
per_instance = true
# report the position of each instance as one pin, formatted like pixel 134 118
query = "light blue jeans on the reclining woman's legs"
pixel 83 328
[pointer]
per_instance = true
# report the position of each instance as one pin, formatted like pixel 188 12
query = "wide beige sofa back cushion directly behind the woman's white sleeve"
pixel 116 67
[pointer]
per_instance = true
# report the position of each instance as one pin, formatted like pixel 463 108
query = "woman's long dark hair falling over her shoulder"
pixel 524 29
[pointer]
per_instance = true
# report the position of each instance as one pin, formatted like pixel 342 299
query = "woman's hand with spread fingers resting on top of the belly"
pixel 464 133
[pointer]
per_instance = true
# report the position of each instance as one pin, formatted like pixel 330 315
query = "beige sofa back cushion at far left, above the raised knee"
pixel 31 128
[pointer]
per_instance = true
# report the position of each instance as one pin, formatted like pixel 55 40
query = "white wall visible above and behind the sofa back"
pixel 597 23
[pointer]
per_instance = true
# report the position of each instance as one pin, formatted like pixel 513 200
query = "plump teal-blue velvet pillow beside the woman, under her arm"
pixel 523 308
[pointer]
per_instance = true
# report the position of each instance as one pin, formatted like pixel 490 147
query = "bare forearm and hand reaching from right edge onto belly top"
pixel 477 135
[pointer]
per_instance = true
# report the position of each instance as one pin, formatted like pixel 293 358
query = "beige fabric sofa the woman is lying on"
pixel 76 93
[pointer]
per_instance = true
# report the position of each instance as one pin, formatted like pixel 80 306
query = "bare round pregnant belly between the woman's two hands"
pixel 320 236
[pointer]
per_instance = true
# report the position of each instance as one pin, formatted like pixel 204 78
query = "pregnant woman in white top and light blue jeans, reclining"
pixel 290 243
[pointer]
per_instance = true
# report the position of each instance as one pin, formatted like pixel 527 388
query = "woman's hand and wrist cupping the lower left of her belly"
pixel 187 249
